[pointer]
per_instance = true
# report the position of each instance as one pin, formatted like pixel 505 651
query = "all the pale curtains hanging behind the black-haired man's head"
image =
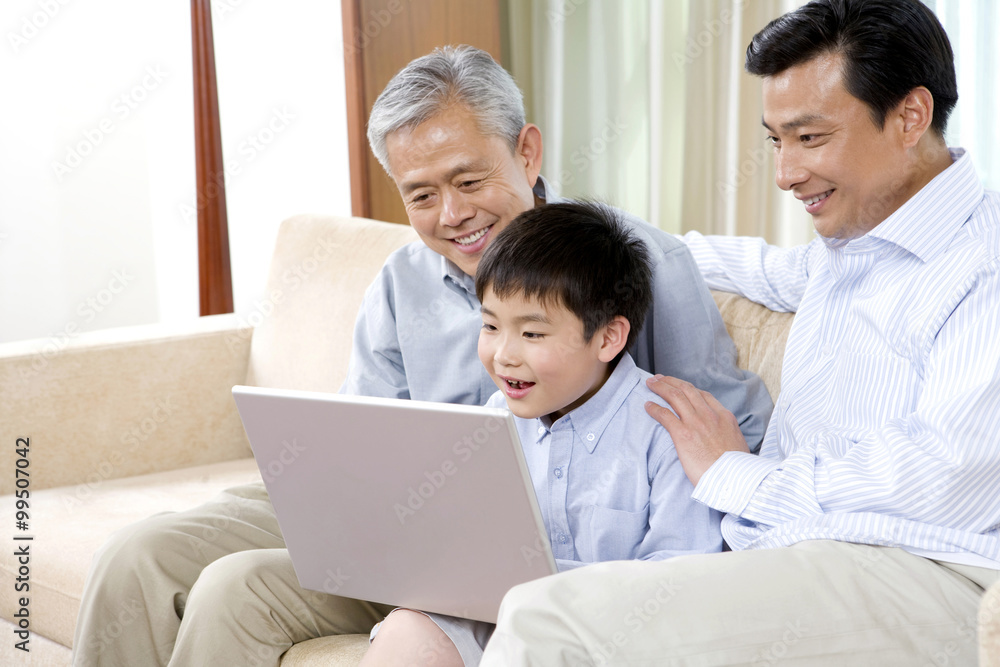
pixel 645 104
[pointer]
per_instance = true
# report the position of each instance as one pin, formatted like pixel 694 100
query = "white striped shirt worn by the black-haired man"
pixel 887 429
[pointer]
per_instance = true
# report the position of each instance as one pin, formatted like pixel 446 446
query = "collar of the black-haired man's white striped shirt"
pixel 927 222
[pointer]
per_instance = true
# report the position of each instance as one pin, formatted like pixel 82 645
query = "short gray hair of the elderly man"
pixel 449 75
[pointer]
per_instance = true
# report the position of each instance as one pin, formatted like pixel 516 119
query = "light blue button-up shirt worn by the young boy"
pixel 608 482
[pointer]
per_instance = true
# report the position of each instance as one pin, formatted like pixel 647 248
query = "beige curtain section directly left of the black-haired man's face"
pixel 728 168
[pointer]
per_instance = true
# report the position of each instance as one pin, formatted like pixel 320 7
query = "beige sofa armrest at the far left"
pixel 122 402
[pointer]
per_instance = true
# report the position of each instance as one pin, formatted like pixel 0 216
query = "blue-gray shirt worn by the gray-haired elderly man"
pixel 418 328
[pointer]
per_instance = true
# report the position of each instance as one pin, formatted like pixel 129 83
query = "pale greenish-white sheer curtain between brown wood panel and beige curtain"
pixel 587 72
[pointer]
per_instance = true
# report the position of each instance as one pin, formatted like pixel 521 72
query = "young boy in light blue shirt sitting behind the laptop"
pixel 560 288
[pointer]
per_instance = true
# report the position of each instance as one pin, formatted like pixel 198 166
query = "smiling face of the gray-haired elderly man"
pixel 459 186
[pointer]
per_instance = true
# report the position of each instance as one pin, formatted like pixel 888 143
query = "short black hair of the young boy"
pixel 580 255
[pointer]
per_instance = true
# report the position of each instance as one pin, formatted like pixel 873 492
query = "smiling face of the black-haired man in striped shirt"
pixel 849 174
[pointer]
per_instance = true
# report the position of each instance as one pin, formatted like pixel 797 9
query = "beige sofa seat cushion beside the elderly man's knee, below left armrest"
pixel 70 524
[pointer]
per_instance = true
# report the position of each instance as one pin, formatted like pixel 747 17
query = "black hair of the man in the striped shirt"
pixel 889 47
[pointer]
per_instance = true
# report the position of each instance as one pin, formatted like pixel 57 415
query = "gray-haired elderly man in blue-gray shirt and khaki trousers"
pixel 450 131
